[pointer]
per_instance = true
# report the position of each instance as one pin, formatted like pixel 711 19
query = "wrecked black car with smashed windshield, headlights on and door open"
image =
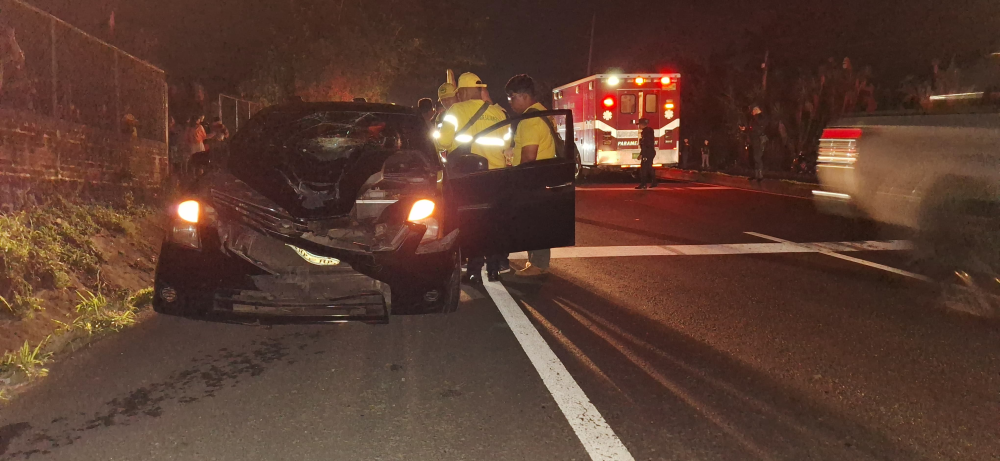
pixel 345 211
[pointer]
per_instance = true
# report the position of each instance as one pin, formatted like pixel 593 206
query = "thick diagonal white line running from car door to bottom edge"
pixel 594 433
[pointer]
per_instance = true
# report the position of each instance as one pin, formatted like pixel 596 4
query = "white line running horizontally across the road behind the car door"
pixel 724 249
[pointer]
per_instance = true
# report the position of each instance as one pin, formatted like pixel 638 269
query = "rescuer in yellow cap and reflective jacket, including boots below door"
pixel 461 123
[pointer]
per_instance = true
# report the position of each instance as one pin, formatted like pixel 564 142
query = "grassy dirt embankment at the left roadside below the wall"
pixel 70 273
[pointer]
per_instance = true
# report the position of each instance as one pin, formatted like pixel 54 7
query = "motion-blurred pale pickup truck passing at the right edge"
pixel 938 174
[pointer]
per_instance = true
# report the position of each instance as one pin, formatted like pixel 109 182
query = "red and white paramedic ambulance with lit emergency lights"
pixel 606 112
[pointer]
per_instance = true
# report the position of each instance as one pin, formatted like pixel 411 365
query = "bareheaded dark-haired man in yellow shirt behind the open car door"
pixel 533 140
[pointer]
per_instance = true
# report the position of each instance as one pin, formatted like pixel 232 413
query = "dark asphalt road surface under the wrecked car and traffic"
pixel 706 343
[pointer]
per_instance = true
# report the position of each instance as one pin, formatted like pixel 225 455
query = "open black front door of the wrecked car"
pixel 531 206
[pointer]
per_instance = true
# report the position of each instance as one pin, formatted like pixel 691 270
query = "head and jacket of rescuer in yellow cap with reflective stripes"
pixel 468 118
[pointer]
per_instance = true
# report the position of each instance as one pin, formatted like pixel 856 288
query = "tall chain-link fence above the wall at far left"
pixel 49 67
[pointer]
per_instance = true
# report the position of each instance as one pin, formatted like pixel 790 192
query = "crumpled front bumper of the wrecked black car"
pixel 218 281
